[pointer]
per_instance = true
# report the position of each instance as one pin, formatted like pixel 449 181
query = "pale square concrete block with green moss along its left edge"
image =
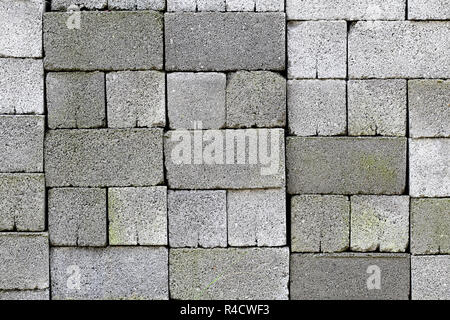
pixel 137 216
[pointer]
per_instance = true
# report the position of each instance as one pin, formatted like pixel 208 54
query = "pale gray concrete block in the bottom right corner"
pixel 430 278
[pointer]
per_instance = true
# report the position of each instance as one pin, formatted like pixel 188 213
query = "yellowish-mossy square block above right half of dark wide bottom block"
pixel 379 223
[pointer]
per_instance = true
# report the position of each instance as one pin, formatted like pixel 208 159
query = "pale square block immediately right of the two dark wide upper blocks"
pixel 317 49
